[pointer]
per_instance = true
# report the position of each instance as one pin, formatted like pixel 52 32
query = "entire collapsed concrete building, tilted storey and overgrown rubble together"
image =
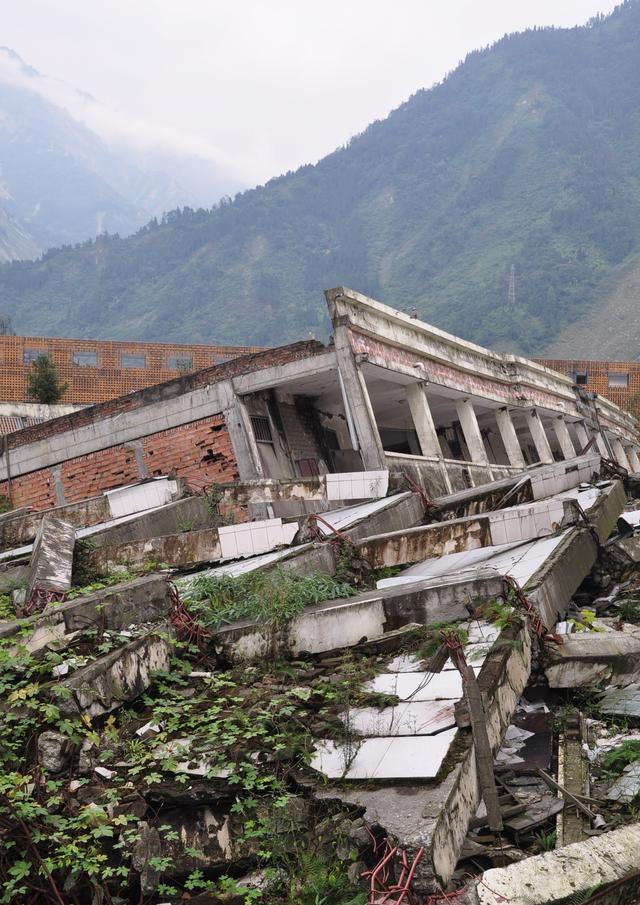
pixel 435 544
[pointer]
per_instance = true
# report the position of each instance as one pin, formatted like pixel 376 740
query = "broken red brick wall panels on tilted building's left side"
pixel 200 451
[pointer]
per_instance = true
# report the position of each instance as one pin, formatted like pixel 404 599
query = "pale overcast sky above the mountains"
pixel 260 86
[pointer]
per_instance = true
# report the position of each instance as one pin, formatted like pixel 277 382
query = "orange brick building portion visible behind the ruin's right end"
pixel 618 381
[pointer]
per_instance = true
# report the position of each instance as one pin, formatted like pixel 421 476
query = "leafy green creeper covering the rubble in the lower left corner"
pixel 249 727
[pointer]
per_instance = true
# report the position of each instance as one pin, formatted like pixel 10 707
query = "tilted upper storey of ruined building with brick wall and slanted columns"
pixel 390 393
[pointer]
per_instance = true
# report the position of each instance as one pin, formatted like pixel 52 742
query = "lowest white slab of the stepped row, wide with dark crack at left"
pixel 403 757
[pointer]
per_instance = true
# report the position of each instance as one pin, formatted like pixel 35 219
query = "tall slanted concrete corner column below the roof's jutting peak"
pixel 356 392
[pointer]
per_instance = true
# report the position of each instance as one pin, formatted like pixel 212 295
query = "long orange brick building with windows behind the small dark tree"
pixel 98 370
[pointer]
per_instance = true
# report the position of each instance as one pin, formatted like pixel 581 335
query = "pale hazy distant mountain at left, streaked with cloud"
pixel 60 182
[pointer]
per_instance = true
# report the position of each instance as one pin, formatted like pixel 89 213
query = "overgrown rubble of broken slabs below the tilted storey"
pixel 312 708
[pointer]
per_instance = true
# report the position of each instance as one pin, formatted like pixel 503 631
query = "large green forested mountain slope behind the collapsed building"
pixel 524 161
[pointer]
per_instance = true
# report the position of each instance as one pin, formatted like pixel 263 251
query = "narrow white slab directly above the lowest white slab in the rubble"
pixel 411 718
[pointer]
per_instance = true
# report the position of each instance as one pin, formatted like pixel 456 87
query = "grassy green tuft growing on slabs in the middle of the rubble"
pixel 272 597
